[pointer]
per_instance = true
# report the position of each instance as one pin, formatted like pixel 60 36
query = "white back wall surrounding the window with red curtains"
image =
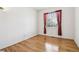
pixel 67 22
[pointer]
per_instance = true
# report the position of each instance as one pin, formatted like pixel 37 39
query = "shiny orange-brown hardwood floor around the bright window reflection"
pixel 37 44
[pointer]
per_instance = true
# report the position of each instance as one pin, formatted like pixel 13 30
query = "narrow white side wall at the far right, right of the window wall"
pixel 77 26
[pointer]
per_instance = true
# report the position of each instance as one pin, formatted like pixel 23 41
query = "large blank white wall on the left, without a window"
pixel 17 24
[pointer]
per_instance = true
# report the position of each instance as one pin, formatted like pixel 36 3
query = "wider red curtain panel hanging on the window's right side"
pixel 59 19
